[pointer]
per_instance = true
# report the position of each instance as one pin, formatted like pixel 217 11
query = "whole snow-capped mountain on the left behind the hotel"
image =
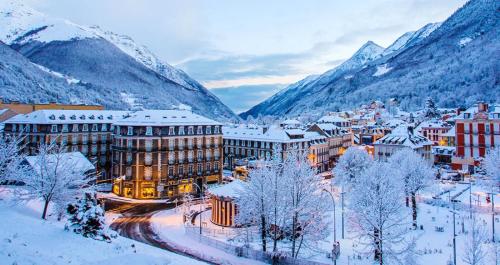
pixel 57 60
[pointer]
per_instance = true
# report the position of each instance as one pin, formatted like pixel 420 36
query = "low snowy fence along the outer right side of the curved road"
pixel 241 251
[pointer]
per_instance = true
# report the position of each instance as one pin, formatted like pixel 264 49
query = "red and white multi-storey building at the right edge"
pixel 477 130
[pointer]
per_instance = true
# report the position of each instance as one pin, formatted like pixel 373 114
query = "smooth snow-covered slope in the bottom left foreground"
pixel 27 239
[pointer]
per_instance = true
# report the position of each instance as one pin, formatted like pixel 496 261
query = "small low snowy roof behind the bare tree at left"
pixel 76 160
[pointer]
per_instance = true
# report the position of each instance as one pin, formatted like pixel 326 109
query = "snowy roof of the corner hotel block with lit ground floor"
pixel 165 117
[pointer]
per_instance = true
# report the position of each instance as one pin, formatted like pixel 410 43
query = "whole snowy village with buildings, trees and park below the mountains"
pixel 270 190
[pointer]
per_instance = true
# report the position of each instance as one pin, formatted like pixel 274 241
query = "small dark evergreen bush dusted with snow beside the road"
pixel 86 217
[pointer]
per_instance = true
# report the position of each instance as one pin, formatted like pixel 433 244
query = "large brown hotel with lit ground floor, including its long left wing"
pixel 147 154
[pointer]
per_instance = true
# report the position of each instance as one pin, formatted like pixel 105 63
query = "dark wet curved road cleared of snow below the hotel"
pixel 135 223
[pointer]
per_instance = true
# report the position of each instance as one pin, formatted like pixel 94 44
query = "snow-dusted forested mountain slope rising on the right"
pixel 455 62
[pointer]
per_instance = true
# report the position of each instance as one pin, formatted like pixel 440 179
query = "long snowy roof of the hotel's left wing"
pixel 68 116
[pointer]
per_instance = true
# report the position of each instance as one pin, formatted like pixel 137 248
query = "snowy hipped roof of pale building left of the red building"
pixel 403 136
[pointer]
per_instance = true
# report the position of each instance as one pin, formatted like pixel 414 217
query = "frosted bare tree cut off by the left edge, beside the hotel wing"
pixel 10 157
